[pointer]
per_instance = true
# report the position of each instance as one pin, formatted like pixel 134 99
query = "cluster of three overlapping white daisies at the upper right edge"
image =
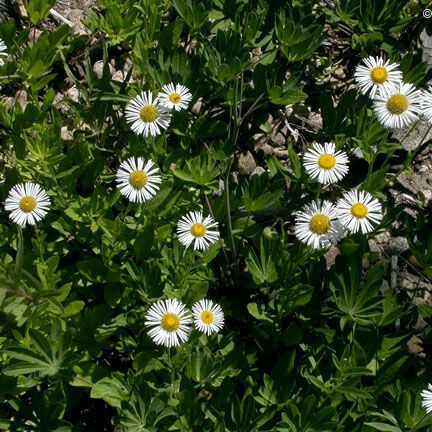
pixel 396 104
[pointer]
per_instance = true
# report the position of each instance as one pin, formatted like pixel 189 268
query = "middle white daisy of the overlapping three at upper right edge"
pixel 397 106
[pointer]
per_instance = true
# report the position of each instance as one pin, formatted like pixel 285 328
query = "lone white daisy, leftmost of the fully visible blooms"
pixel 28 203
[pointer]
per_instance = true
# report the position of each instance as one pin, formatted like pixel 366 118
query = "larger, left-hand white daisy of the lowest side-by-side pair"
pixel 169 322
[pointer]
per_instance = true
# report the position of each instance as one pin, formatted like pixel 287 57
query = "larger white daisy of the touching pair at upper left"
pixel 148 116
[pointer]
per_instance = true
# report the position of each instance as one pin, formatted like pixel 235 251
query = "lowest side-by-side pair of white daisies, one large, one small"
pixel 169 321
